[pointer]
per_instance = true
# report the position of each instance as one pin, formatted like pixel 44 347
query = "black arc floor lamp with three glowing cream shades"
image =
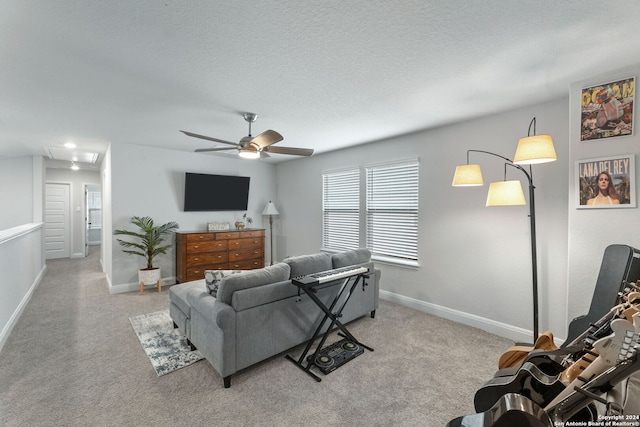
pixel 531 150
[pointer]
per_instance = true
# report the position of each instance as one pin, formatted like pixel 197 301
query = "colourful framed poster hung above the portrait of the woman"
pixel 607 110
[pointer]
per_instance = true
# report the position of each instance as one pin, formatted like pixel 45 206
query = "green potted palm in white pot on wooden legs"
pixel 148 243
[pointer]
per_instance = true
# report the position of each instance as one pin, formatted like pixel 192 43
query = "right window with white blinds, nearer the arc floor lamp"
pixel 392 211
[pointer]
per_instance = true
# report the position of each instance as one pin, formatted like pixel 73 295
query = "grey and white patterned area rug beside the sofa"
pixel 165 346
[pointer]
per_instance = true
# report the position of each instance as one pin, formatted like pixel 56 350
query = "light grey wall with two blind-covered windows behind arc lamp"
pixel 475 262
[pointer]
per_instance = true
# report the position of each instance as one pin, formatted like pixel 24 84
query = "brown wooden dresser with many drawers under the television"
pixel 217 250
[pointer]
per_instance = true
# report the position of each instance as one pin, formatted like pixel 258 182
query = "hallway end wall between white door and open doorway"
pixel 77 180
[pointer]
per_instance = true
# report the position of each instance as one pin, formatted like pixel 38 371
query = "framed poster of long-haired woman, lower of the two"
pixel 607 182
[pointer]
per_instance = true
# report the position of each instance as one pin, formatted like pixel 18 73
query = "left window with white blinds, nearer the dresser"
pixel 341 210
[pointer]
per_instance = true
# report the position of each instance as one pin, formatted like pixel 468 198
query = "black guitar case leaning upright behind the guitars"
pixel 620 264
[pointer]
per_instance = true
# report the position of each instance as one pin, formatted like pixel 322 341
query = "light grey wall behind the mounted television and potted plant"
pixel 149 181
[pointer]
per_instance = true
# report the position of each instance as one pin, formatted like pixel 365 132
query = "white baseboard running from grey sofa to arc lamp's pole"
pixel 501 329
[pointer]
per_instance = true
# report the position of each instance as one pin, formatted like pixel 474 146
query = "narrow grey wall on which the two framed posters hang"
pixel 592 230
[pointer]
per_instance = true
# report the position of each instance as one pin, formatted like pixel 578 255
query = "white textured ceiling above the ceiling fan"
pixel 324 74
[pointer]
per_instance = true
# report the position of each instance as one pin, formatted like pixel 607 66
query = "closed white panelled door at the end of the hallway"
pixel 57 207
